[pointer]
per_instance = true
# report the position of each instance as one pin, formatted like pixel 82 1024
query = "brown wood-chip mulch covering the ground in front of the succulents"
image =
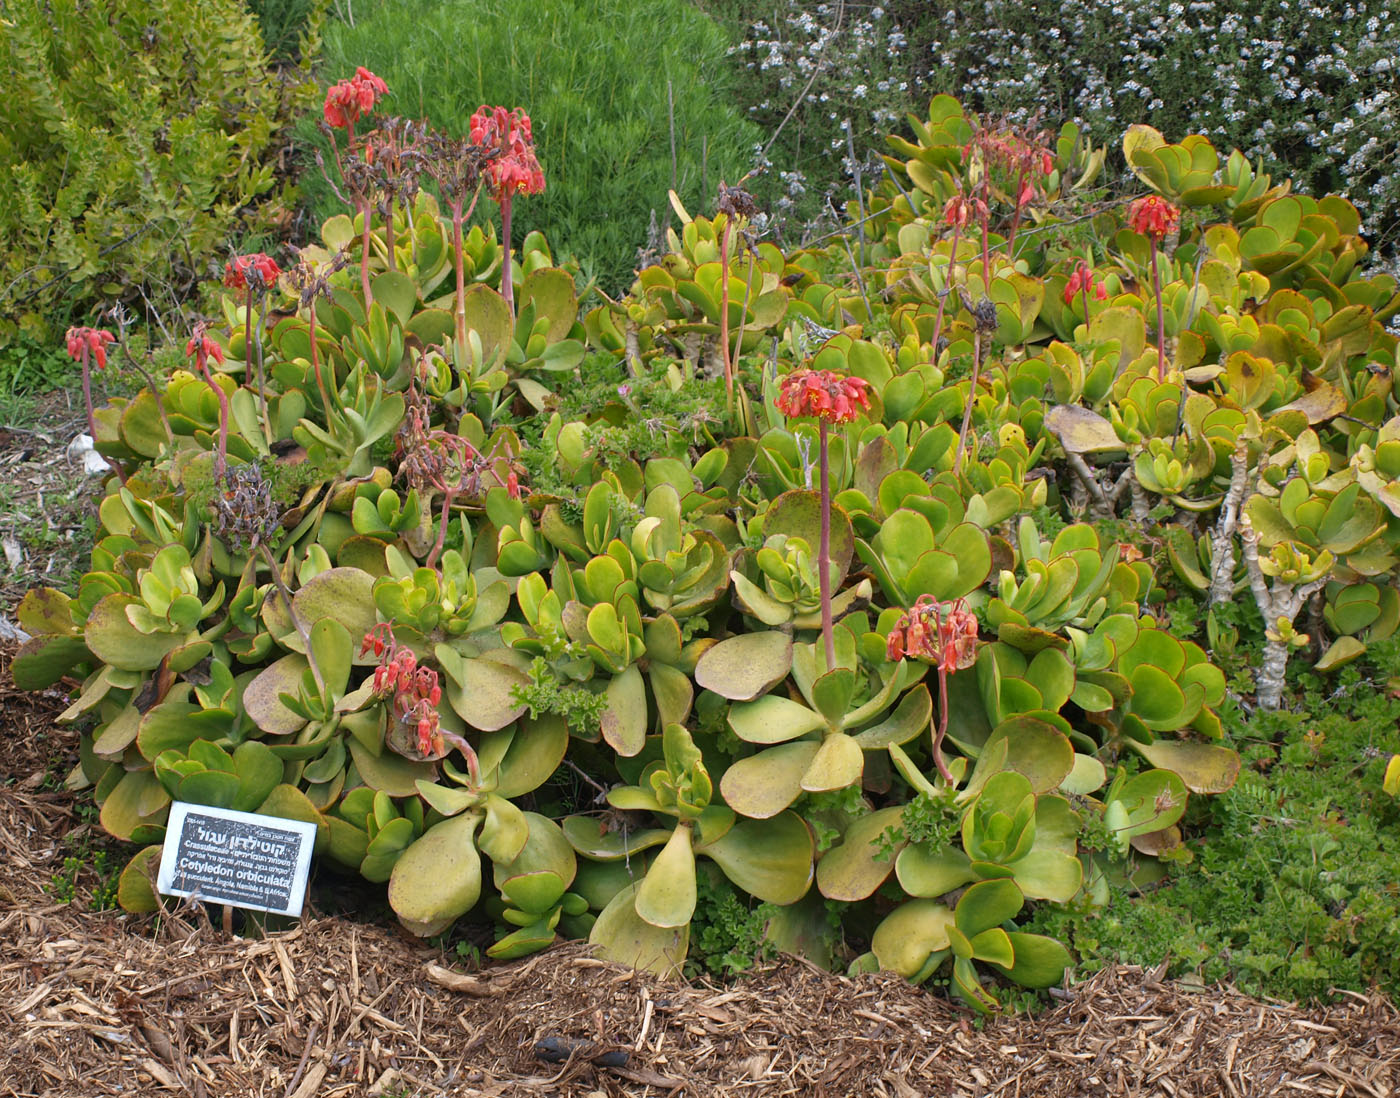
pixel 103 1003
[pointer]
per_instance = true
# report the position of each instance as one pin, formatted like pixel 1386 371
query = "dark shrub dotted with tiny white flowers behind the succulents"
pixel 1308 86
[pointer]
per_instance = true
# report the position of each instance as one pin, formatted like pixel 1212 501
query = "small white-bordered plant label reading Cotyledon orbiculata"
pixel 240 859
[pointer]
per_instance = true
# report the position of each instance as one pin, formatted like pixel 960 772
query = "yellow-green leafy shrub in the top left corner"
pixel 132 138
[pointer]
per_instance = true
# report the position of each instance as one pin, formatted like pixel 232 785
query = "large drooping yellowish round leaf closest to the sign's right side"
pixel 440 876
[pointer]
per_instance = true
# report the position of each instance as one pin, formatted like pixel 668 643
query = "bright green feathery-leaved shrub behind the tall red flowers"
pixel 593 76
